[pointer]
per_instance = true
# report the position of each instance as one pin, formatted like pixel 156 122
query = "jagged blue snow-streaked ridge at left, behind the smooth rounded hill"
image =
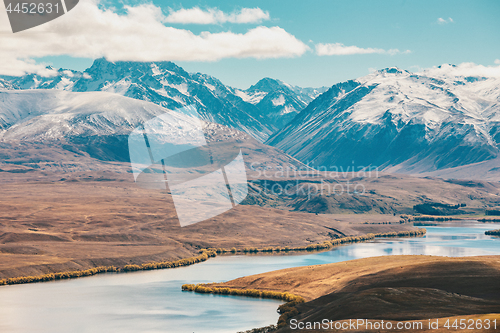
pixel 168 85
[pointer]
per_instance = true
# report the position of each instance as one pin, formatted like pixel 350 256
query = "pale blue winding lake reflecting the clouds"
pixel 152 301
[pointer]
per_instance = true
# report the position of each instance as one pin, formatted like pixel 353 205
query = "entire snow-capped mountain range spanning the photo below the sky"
pixel 434 123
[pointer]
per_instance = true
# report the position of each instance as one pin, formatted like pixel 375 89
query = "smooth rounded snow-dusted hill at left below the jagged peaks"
pixel 52 115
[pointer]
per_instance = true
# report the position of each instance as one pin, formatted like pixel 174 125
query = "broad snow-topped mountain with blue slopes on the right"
pixel 399 121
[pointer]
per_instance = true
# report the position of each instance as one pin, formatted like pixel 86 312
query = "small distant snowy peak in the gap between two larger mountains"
pixel 279 102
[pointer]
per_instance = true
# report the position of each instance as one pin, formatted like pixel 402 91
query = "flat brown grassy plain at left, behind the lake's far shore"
pixel 83 223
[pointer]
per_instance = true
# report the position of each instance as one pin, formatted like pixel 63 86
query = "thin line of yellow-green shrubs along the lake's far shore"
pixel 204 255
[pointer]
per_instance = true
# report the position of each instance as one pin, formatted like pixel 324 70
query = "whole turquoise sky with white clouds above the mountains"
pixel 305 43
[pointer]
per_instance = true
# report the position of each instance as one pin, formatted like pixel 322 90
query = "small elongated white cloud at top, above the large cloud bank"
pixel 196 15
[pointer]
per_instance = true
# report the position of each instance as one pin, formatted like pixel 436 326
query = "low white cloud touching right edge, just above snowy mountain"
pixel 464 69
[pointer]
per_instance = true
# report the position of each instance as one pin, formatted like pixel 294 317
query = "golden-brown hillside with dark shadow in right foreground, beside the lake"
pixel 390 288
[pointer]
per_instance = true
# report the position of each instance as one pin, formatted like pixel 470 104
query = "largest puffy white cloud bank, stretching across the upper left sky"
pixel 138 35
